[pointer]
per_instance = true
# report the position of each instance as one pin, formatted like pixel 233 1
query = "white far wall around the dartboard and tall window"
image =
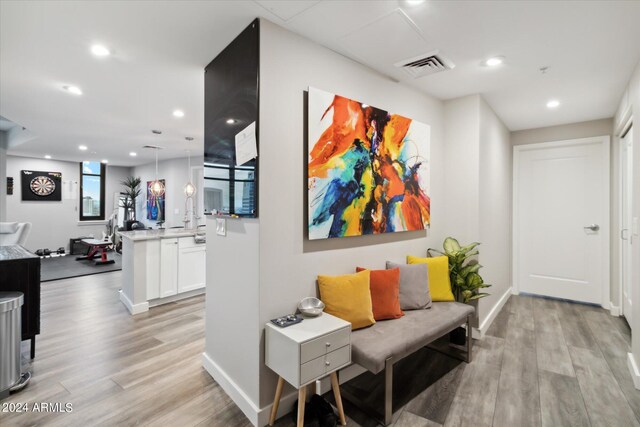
pixel 54 223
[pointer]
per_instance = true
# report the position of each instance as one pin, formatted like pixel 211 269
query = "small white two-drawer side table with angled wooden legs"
pixel 305 352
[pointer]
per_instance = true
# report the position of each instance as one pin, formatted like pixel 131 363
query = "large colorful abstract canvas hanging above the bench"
pixel 368 169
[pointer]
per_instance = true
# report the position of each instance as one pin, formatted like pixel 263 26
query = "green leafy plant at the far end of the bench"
pixel 466 283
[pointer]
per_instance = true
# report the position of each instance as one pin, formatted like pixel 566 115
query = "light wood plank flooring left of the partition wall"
pixel 119 370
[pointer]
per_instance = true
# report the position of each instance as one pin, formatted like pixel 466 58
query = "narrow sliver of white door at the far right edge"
pixel 626 163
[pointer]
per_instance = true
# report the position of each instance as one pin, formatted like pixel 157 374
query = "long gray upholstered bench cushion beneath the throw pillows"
pixel 397 338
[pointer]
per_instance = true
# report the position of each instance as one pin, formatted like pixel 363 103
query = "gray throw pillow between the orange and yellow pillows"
pixel 414 285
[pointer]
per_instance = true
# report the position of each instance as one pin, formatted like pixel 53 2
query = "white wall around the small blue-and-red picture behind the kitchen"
pixel 174 172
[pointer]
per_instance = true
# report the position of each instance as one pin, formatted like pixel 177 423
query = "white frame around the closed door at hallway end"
pixel 605 147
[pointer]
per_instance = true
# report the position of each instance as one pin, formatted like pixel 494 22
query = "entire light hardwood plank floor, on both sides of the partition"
pixel 542 363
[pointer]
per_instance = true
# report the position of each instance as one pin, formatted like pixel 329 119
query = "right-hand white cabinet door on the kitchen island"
pixel 191 264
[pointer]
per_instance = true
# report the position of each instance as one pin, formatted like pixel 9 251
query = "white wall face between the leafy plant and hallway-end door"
pixel 495 178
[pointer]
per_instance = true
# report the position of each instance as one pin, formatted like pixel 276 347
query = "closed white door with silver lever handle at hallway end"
pixel 561 219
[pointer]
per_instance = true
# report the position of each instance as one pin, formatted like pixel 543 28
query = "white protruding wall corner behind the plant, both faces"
pixel 478 184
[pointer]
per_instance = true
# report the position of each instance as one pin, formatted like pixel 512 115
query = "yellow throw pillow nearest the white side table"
pixel 348 297
